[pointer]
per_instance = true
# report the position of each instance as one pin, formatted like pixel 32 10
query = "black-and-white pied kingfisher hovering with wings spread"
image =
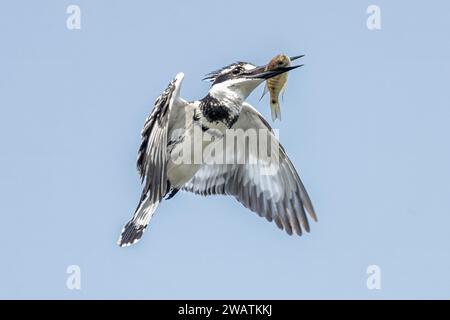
pixel 279 197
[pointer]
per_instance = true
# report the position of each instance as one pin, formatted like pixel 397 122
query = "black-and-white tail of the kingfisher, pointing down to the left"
pixel 133 230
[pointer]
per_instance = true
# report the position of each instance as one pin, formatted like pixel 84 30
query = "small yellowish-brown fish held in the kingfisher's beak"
pixel 276 85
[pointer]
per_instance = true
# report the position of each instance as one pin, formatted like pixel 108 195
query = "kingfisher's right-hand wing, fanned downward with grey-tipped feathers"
pixel 269 186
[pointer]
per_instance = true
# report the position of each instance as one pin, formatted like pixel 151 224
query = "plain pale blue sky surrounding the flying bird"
pixel 365 122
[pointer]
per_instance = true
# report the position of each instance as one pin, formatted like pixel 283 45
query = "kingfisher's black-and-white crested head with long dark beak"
pixel 241 78
